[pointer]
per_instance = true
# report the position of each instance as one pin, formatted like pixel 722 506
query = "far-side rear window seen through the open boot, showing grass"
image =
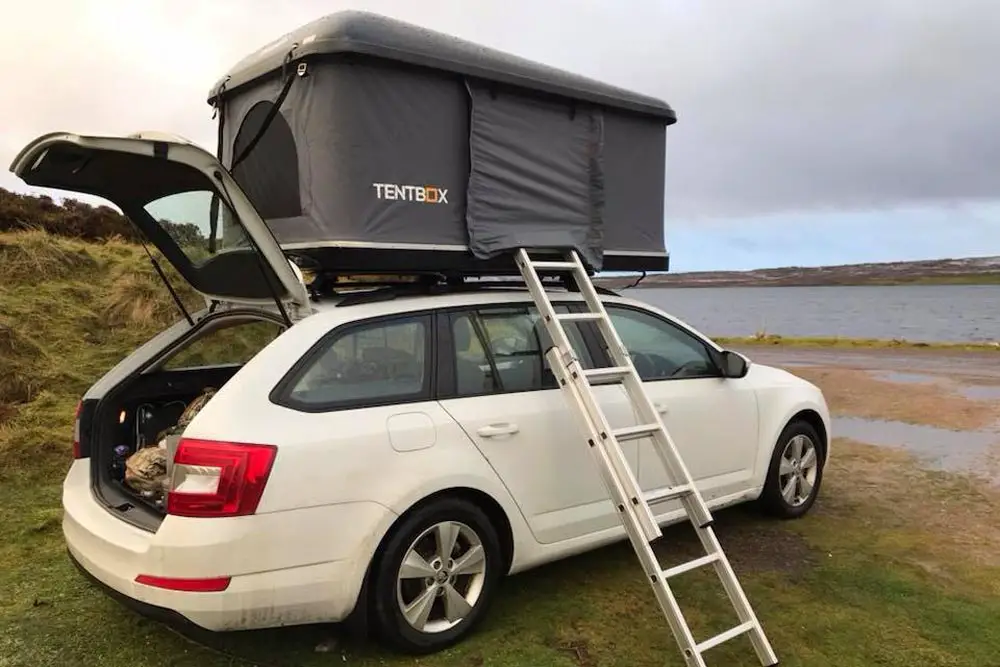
pixel 234 344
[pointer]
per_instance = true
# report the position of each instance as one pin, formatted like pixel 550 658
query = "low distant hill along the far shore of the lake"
pixel 976 270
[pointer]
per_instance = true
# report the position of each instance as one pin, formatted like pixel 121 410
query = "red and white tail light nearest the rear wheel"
pixel 218 479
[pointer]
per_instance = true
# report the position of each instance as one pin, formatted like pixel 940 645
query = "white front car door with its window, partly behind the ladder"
pixel 712 419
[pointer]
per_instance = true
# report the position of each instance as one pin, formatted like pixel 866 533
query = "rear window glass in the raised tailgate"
pixel 187 217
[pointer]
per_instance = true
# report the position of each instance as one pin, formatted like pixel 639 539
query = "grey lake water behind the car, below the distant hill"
pixel 912 312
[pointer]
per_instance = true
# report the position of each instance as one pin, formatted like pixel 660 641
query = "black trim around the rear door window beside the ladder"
pixel 448 383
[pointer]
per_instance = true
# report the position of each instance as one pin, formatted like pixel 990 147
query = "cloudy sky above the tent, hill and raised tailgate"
pixel 809 132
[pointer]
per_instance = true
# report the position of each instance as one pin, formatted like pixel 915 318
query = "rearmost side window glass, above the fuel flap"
pixel 378 363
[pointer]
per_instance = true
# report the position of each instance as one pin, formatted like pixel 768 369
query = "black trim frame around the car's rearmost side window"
pixel 281 394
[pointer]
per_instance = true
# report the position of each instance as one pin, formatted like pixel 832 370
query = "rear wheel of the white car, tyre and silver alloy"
pixel 425 596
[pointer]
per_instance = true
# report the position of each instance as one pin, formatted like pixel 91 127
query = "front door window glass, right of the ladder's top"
pixel 660 350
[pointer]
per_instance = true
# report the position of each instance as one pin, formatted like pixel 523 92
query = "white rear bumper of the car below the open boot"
pixel 287 568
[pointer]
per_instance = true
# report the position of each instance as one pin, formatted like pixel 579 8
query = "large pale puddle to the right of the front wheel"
pixel 953 451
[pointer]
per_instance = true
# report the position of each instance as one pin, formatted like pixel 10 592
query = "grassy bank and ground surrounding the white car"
pixel 876 575
